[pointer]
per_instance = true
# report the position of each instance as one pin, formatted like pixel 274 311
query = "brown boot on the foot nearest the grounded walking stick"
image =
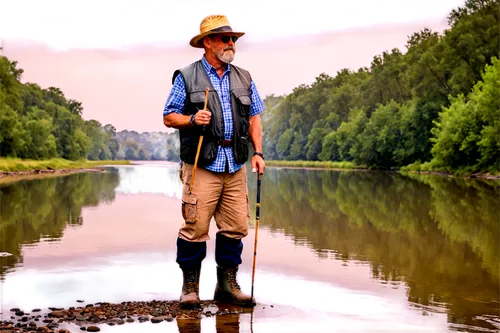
pixel 227 289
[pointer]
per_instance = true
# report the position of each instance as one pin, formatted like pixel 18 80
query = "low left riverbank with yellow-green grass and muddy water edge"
pixel 20 167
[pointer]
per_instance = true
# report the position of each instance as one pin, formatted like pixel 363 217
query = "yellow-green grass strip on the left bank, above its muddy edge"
pixel 20 165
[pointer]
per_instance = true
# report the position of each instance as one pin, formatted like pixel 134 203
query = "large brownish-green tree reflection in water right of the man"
pixel 439 235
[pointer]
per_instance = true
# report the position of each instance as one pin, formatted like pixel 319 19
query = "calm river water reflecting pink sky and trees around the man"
pixel 337 251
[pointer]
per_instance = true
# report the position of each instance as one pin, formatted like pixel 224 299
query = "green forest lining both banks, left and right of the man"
pixel 435 106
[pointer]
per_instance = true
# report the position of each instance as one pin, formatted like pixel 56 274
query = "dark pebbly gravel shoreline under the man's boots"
pixel 88 317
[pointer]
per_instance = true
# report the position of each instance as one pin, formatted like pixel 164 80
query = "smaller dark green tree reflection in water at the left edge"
pixel 42 208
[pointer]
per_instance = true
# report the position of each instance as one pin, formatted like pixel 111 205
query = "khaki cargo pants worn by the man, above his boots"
pixel 223 196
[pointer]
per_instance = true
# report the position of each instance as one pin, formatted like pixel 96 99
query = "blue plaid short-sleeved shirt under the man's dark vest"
pixel 175 103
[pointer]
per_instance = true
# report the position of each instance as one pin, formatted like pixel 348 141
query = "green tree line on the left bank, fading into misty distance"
pixel 39 124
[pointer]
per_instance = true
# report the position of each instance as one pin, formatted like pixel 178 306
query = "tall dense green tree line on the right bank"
pixel 435 106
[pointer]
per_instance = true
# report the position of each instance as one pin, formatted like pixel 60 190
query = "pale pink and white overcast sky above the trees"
pixel 120 67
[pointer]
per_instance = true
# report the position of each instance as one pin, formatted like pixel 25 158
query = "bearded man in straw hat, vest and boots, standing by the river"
pixel 220 189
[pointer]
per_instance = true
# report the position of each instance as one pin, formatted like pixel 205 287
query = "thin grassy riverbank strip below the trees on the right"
pixel 418 169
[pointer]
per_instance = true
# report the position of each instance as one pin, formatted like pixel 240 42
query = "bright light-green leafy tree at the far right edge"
pixel 468 131
